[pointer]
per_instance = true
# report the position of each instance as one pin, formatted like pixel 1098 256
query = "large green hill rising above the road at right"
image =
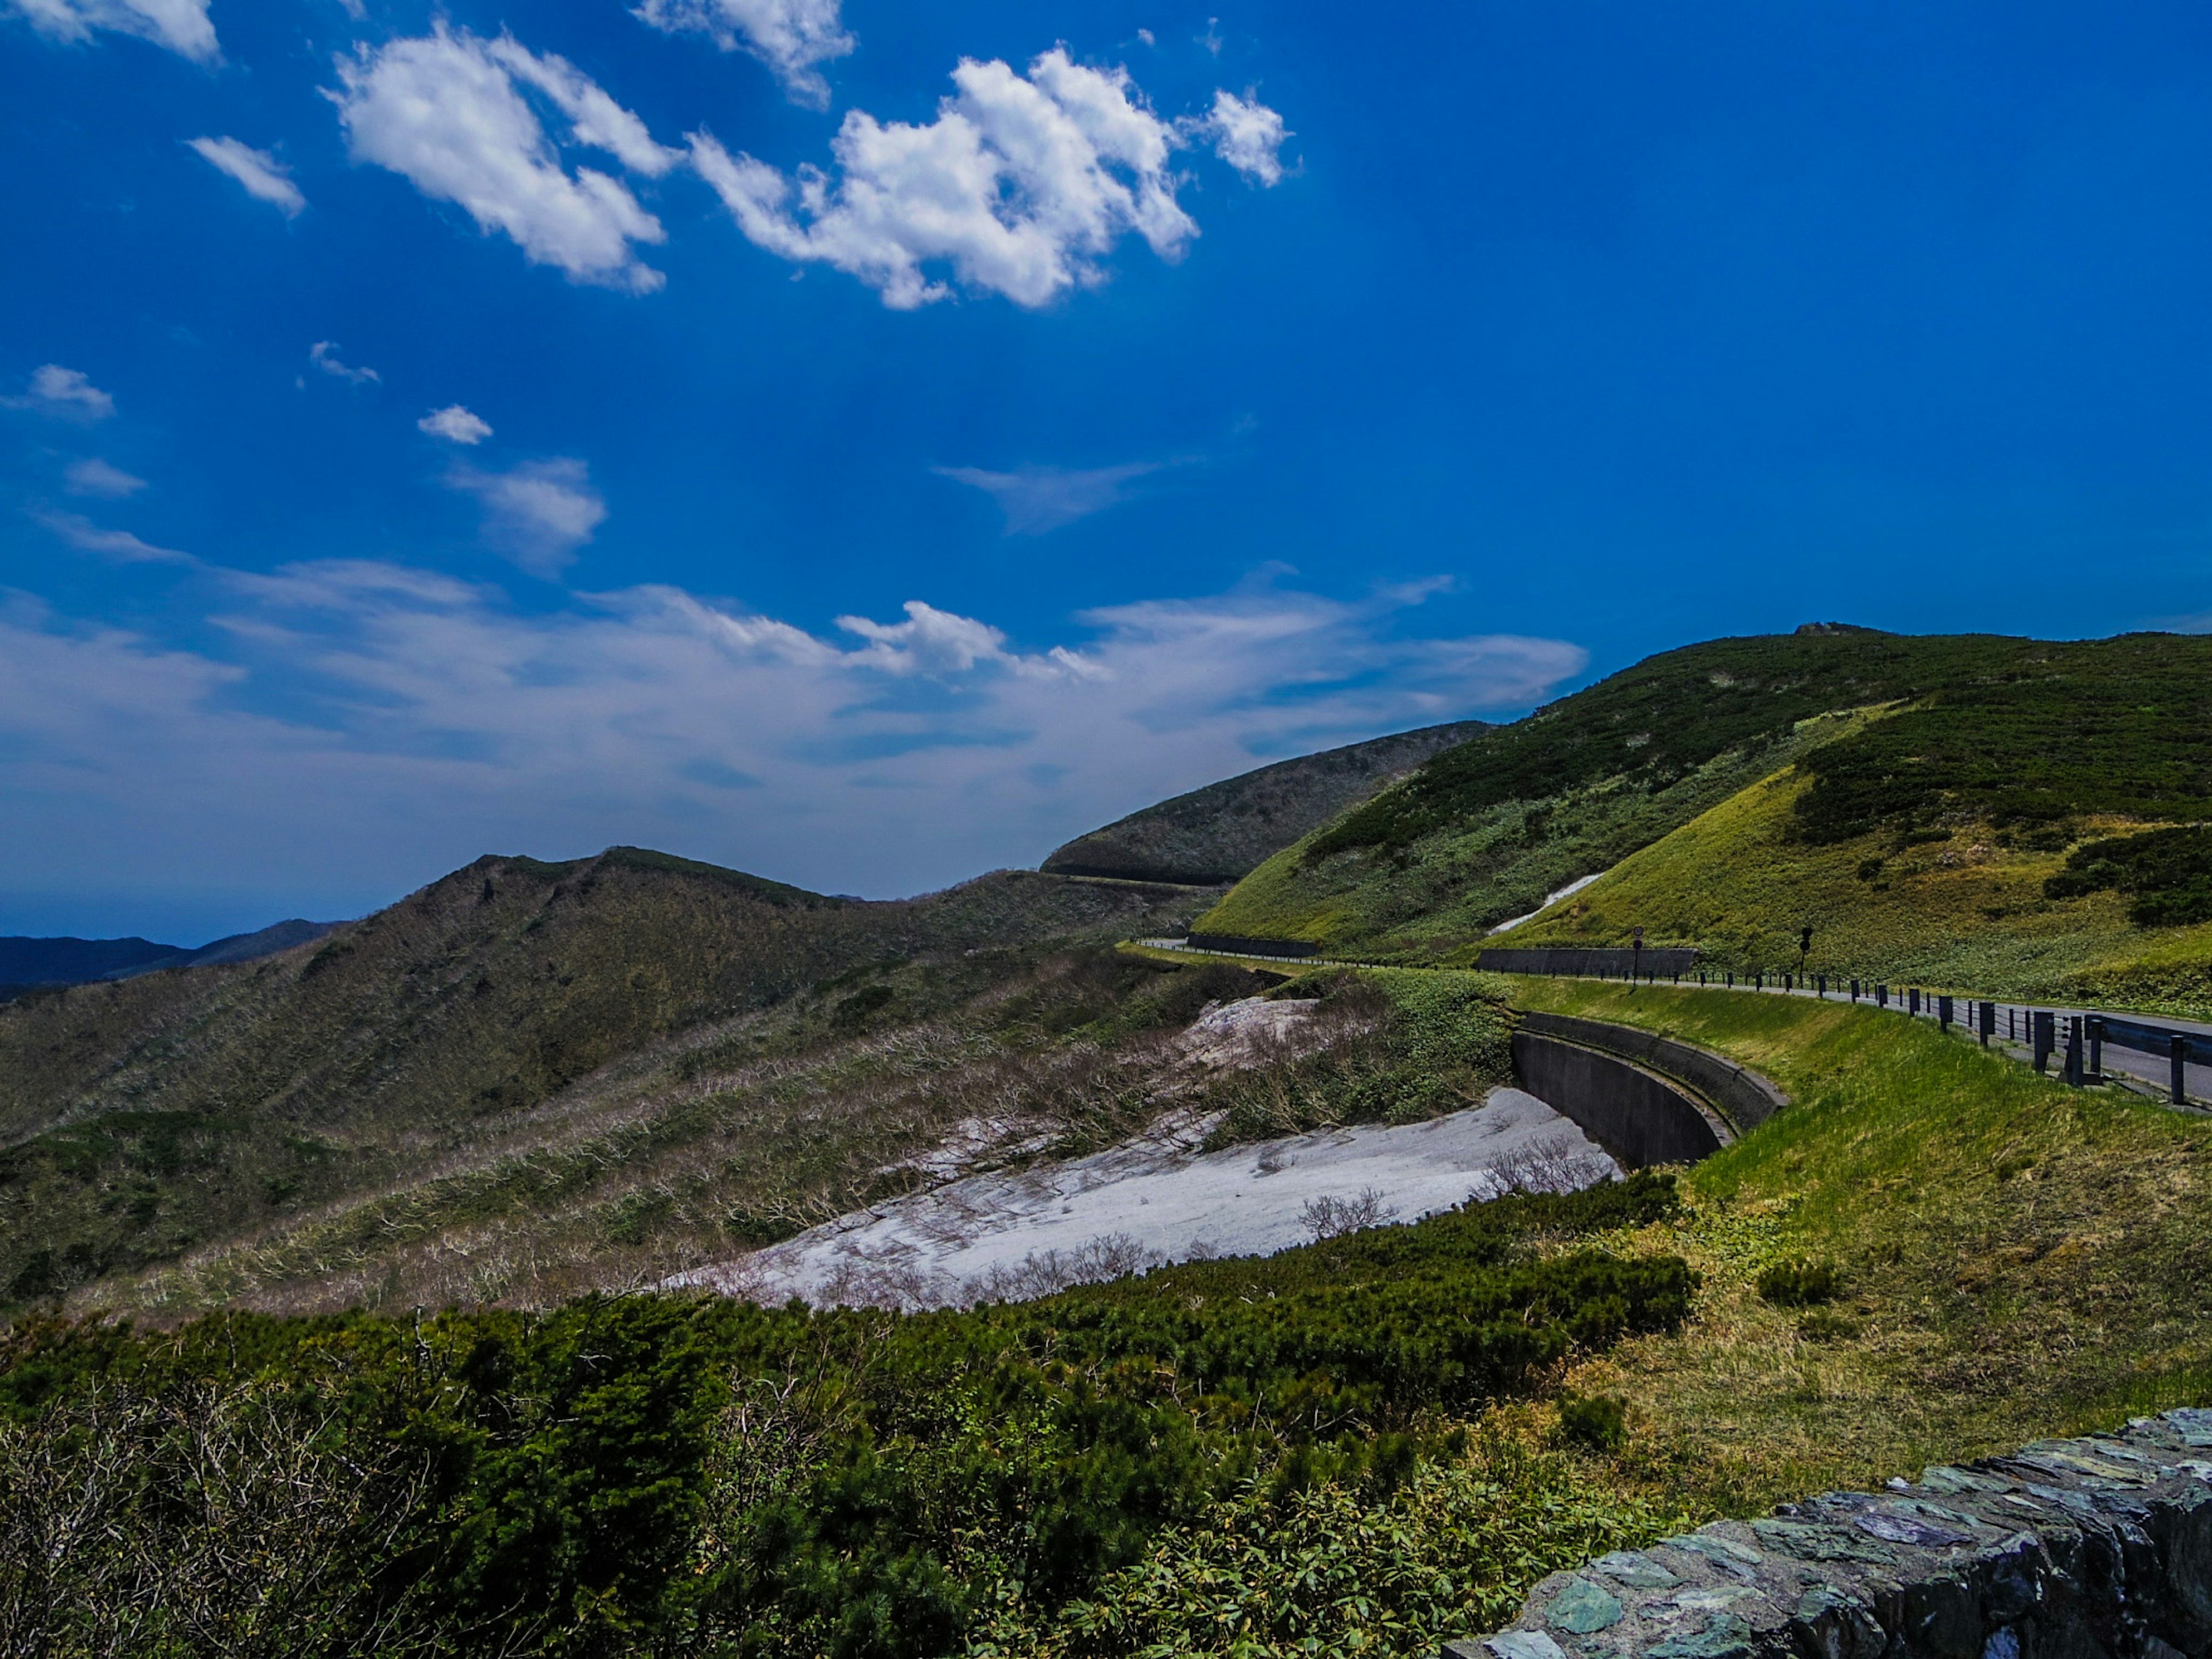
pixel 1890 755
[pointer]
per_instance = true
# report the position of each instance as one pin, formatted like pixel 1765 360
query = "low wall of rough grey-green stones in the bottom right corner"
pixel 2067 1550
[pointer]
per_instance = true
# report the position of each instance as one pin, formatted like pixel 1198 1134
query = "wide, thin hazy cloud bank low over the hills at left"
pixel 890 758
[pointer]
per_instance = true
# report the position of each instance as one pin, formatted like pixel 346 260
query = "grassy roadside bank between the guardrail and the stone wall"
pixel 2021 1260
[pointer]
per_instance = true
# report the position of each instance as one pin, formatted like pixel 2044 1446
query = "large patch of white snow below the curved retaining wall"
pixel 1154 1202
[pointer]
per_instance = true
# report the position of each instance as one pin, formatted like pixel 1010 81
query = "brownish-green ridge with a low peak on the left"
pixel 158 1116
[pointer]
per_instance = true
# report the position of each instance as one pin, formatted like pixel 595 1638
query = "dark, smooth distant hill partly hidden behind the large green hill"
pixel 1220 833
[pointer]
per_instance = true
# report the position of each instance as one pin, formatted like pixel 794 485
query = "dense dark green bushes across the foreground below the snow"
pixel 665 1474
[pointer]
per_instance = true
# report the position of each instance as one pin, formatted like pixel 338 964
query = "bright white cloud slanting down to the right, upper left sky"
pixel 448 114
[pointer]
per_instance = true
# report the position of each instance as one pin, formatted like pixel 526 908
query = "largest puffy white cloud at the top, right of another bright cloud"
pixel 1021 187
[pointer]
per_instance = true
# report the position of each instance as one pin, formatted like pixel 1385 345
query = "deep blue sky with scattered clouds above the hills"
pixel 875 444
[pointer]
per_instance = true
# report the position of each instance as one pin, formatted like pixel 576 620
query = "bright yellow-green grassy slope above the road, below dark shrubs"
pixel 1963 910
